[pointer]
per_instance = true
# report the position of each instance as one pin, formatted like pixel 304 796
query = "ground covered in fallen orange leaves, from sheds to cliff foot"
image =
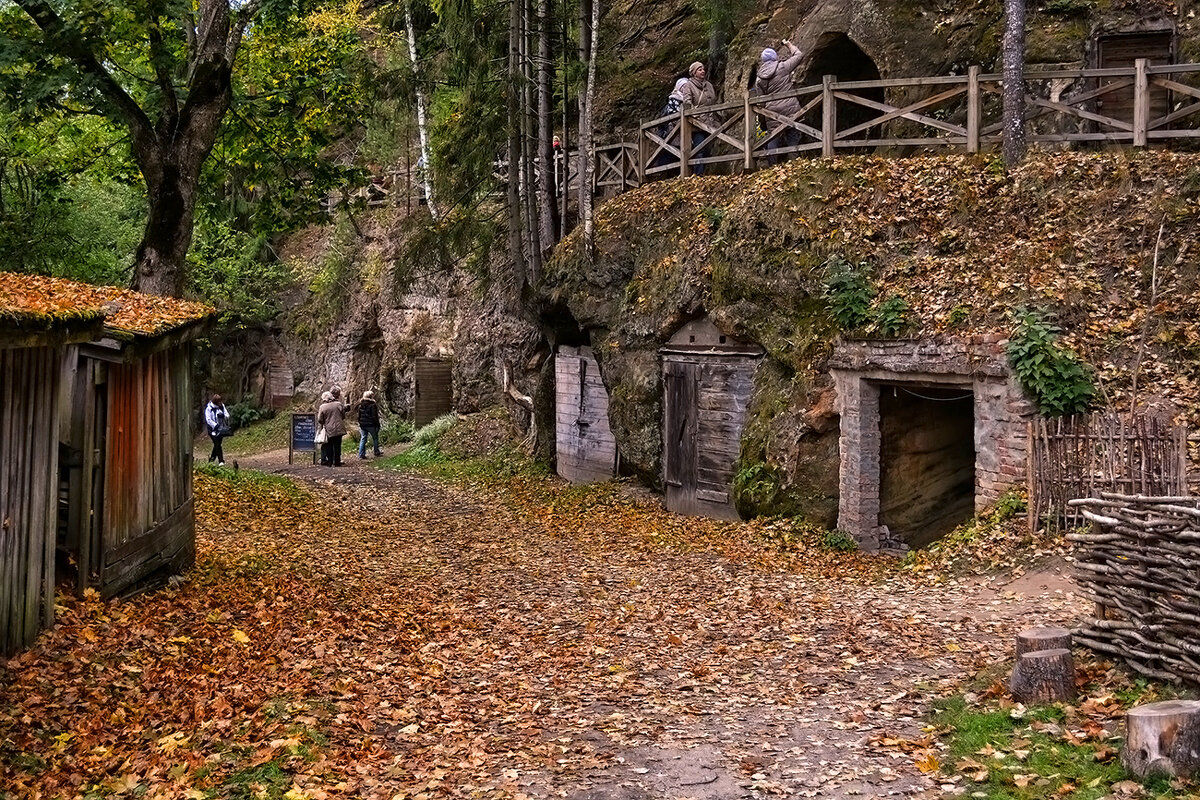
pixel 385 636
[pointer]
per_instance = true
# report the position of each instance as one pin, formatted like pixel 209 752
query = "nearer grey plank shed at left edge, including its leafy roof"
pixel 37 333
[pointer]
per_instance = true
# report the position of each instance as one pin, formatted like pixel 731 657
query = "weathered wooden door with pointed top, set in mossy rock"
pixel 709 378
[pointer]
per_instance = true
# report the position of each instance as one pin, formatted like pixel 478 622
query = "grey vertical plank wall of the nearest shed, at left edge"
pixel 29 458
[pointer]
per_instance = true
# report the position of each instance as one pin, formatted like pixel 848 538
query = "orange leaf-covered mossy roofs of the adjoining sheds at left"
pixel 35 303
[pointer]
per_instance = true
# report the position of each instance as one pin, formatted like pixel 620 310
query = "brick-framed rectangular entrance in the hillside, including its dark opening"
pixel 932 432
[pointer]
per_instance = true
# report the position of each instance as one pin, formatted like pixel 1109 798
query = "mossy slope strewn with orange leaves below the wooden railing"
pixel 963 242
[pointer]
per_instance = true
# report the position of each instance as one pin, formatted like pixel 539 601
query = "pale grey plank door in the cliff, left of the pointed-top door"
pixel 585 446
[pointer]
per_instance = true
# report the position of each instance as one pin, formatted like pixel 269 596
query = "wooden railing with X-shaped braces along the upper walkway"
pixel 1133 106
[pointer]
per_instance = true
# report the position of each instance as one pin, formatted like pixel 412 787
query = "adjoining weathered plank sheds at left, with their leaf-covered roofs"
pixel 97 452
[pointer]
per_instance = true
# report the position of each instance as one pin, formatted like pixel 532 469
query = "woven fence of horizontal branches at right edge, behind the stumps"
pixel 1141 563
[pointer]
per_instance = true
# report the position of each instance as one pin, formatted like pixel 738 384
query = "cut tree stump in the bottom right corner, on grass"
pixel 1163 739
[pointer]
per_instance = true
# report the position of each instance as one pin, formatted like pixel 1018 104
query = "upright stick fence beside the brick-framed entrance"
pixel 1105 453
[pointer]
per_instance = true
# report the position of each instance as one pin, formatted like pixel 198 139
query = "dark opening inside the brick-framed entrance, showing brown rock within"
pixel 927 461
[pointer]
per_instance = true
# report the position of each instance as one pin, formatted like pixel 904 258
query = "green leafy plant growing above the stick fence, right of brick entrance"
pixel 1057 380
